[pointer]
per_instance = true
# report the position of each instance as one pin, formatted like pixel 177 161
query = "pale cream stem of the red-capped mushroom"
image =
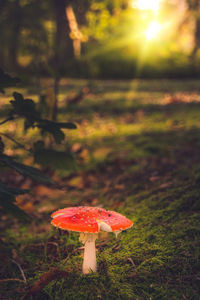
pixel 89 260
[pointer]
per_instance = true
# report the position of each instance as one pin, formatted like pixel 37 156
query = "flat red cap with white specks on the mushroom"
pixel 89 219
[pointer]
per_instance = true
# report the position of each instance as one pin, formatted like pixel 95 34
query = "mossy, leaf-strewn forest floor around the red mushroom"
pixel 137 150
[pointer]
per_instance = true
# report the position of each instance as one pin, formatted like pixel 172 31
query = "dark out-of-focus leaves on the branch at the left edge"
pixel 26 109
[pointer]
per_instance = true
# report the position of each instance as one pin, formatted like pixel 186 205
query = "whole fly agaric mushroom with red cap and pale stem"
pixel 89 221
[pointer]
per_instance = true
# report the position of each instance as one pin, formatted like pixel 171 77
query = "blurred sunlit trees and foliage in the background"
pixel 113 42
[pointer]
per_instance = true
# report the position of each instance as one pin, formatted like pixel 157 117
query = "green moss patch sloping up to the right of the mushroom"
pixel 156 259
